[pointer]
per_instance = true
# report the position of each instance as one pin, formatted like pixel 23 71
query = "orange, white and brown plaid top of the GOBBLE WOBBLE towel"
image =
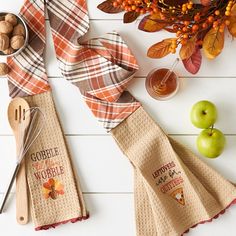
pixel 28 75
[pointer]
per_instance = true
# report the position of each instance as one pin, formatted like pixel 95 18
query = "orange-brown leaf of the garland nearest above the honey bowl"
pixel 160 49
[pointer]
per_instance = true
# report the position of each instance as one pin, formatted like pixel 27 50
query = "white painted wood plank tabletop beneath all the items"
pixel 105 173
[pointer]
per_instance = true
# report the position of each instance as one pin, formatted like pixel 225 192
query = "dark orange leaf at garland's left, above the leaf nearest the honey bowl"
pixel 152 23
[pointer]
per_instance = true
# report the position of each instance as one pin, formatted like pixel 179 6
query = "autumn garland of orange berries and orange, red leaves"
pixel 196 25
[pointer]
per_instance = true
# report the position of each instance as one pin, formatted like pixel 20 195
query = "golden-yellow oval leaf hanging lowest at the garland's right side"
pixel 213 43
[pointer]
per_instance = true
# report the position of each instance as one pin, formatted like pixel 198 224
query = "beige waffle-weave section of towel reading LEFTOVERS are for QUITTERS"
pixel 174 189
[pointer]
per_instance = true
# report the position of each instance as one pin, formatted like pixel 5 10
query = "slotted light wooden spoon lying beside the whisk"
pixel 16 115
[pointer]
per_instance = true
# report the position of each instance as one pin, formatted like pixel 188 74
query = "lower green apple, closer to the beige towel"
pixel 211 143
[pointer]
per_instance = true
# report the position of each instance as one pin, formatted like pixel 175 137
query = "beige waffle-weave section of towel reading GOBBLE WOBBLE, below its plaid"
pixel 55 191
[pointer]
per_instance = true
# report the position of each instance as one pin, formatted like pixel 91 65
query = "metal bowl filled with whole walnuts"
pixel 13 34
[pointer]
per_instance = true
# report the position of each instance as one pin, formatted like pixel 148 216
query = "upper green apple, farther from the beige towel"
pixel 203 114
